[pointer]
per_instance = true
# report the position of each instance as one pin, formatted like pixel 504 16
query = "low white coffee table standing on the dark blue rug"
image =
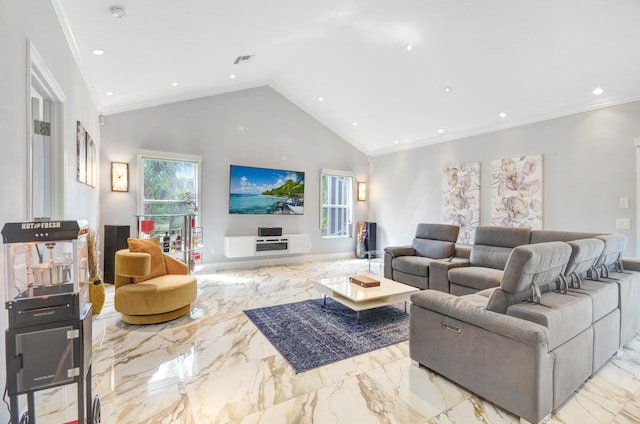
pixel 359 298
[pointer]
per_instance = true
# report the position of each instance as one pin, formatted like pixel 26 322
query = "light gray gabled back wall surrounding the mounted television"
pixel 254 127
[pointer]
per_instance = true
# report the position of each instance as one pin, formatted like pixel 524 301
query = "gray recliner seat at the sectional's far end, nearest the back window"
pixel 410 264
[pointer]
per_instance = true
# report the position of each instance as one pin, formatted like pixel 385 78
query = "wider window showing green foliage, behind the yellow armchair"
pixel 166 181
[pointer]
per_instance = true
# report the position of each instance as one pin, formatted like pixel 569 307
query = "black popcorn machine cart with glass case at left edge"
pixel 49 341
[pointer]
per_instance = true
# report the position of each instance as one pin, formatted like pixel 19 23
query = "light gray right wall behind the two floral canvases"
pixel 589 162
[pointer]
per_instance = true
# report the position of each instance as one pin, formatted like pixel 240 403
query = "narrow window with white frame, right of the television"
pixel 336 194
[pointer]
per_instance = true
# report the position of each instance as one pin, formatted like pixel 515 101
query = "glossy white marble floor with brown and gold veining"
pixel 214 366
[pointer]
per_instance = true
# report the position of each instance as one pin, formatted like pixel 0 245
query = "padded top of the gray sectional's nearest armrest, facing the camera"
pixel 462 309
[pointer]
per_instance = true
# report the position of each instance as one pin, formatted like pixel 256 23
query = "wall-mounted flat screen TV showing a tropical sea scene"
pixel 265 191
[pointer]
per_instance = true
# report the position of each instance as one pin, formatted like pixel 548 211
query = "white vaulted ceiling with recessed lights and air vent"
pixel 384 75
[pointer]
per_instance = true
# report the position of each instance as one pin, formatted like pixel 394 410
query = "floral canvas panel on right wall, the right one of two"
pixel 516 188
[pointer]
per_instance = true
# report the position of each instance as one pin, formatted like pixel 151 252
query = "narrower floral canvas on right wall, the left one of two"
pixel 461 199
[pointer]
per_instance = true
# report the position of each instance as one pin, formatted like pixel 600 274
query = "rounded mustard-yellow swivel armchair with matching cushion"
pixel 151 286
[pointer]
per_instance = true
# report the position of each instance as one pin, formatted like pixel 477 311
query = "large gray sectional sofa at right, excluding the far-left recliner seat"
pixel 561 305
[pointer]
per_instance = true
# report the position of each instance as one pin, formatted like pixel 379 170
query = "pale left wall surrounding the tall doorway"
pixel 35 20
